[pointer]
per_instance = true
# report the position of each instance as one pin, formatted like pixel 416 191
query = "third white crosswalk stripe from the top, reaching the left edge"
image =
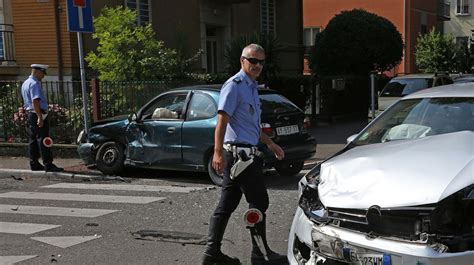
pixel 56 211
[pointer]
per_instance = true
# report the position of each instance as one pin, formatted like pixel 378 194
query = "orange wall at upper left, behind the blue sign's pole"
pixel 35 35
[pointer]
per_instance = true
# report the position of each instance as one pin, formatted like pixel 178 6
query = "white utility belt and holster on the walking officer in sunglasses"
pixel 243 157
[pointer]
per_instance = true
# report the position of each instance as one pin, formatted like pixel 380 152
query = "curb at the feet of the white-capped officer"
pixel 21 174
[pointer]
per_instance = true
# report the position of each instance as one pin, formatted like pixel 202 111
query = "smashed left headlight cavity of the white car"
pixel 309 198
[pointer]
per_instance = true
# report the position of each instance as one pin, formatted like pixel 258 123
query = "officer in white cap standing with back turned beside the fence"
pixel 36 106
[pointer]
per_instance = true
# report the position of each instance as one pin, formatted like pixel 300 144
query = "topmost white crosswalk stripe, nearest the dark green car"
pixel 123 187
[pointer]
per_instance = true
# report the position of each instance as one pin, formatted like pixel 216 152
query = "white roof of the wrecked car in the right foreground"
pixel 452 90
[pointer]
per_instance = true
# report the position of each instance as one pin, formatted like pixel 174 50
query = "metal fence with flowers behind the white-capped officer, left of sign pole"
pixel 65 111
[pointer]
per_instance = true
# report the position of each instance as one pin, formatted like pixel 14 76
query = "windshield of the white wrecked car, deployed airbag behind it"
pixel 417 118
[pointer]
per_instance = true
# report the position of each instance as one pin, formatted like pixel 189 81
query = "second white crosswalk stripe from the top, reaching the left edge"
pixel 80 197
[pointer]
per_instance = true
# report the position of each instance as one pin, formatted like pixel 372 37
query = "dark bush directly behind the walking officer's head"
pixel 269 43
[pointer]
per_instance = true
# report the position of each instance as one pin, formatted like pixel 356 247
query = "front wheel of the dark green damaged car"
pixel 110 158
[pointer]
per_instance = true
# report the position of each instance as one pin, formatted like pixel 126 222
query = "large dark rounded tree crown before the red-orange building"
pixel 356 42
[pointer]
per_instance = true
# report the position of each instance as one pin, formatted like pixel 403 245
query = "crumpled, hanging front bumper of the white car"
pixel 309 243
